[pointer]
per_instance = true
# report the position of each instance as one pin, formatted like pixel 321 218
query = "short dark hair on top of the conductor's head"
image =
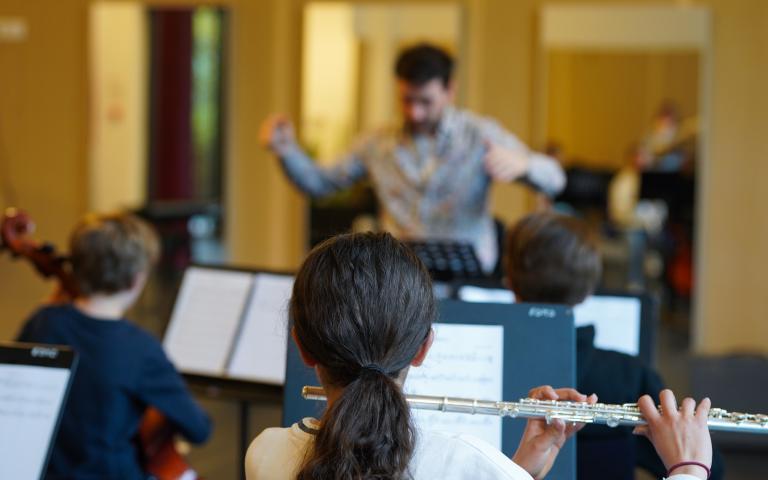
pixel 423 63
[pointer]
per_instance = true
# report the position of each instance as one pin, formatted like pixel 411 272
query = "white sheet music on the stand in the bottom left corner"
pixel 30 400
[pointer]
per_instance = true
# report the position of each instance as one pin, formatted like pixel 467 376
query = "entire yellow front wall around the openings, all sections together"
pixel 44 121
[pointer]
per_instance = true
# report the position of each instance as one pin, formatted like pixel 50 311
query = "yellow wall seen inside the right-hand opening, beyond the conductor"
pixel 600 103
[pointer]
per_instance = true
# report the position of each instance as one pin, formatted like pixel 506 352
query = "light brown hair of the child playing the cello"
pixel 111 252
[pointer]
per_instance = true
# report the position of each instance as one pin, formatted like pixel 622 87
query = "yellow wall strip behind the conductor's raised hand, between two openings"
pixel 266 218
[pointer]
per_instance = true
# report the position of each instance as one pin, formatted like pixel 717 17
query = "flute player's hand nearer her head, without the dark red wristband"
pixel 541 442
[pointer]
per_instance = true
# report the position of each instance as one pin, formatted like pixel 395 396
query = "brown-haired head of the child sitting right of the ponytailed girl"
pixel 552 258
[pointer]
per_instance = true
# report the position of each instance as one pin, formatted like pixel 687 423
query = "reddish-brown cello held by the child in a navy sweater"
pixel 156 434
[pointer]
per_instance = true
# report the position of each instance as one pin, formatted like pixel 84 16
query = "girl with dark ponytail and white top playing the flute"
pixel 362 310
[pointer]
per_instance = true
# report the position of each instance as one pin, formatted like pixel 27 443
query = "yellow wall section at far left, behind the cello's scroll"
pixel 43 135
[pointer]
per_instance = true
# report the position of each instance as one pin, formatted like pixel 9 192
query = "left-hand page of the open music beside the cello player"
pixel 206 318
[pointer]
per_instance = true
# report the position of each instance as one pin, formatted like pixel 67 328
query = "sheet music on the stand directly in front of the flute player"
pixel 465 361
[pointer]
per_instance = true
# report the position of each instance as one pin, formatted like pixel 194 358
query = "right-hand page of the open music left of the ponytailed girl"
pixel 261 348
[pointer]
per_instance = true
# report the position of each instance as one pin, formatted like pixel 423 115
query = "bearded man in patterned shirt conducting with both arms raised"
pixel 432 173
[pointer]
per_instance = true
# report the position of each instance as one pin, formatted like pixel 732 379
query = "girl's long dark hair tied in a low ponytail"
pixel 362 300
